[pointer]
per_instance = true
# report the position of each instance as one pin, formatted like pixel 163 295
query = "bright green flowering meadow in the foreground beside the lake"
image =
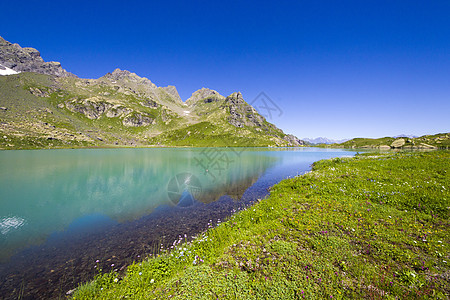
pixel 373 226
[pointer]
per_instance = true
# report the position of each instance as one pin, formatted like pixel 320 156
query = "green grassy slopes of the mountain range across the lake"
pixel 33 99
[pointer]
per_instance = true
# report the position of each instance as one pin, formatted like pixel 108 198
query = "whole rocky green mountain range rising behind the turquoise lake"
pixel 44 106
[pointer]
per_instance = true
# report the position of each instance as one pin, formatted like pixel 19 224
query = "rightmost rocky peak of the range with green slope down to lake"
pixel 226 121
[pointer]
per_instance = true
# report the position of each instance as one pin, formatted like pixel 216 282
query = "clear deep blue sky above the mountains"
pixel 338 69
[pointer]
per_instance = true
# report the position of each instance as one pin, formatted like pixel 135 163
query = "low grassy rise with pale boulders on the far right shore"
pixel 436 141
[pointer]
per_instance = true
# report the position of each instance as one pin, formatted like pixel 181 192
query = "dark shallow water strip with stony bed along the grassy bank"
pixel 69 258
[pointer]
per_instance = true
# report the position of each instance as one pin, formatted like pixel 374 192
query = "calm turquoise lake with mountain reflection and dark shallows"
pixel 61 210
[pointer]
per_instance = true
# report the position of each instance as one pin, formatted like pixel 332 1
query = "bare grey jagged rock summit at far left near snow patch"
pixel 28 60
